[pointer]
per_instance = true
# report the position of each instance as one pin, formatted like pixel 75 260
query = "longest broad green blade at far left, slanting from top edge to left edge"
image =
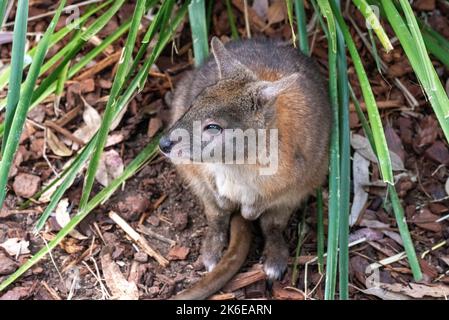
pixel 23 105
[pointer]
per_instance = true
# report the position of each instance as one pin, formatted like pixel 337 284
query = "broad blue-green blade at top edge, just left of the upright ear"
pixel 197 19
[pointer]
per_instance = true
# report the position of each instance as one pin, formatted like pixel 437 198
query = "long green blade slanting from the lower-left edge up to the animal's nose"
pixel 143 157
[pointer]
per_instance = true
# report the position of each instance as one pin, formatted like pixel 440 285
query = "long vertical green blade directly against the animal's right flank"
pixel 334 174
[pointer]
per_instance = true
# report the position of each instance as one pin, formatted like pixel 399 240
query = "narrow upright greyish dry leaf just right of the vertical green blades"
pixel 361 178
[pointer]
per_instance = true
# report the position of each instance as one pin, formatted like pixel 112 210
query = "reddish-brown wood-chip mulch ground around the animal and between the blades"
pixel 156 199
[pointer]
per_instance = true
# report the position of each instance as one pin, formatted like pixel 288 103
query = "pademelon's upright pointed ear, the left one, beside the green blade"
pixel 227 65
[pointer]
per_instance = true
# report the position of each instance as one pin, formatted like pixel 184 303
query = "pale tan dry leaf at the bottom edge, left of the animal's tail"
pixel 120 288
